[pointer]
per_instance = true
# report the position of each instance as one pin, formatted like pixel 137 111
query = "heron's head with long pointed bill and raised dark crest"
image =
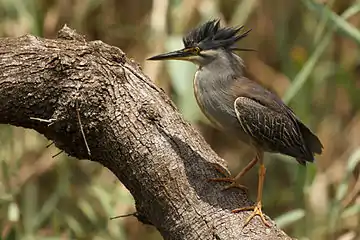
pixel 206 42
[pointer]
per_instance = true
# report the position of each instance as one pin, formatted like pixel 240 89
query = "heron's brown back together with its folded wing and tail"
pixel 271 124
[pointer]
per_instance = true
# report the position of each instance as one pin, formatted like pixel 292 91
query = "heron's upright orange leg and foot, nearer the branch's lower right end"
pixel 257 209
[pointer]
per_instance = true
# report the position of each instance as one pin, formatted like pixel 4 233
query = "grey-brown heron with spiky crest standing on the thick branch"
pixel 240 106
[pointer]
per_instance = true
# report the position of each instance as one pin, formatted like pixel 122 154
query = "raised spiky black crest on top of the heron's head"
pixel 210 36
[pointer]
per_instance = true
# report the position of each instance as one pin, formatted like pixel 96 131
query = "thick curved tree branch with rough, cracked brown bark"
pixel 131 127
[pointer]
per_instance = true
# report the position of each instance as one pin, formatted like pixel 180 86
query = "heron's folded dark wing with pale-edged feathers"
pixel 272 129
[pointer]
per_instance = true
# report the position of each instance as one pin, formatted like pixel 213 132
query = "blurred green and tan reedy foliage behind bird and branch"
pixel 307 51
